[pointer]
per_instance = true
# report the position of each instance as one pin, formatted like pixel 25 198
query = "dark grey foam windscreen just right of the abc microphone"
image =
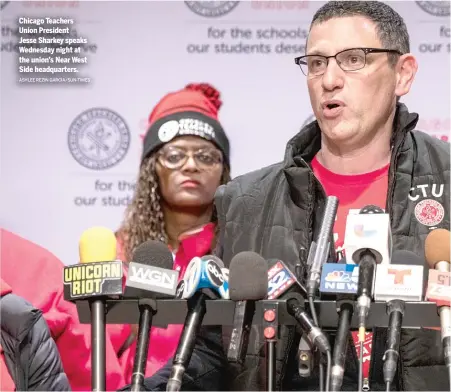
pixel 248 277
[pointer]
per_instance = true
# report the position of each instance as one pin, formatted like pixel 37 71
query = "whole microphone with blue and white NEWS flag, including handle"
pixel 340 279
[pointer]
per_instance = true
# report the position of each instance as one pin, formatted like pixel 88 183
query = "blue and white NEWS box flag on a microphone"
pixel 339 278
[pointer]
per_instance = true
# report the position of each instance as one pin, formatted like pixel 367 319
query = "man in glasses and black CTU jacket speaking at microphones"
pixel 363 149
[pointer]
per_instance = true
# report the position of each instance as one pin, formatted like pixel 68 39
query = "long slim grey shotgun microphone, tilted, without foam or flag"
pixel 322 246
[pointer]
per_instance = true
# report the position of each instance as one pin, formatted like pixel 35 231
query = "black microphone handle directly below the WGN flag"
pixel 147 307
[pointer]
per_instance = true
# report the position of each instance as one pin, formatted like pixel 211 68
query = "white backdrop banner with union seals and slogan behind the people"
pixel 71 140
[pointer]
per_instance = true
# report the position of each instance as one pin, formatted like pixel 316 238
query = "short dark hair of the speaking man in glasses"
pixel 390 26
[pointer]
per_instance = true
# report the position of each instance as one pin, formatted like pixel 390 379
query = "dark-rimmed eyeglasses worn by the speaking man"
pixel 348 60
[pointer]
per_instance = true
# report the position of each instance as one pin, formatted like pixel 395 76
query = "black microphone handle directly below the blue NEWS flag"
pixel 346 310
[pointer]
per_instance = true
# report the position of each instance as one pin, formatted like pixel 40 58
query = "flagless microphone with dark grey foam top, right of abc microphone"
pixel 248 282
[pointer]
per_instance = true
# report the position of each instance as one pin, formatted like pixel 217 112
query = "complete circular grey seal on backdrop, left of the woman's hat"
pixel 98 138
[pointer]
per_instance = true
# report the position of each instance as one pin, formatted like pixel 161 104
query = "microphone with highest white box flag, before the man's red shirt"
pixel 367 243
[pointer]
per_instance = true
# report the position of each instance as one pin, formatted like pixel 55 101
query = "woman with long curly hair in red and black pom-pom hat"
pixel 185 158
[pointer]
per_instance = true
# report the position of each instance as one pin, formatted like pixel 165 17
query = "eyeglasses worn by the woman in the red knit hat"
pixel 174 158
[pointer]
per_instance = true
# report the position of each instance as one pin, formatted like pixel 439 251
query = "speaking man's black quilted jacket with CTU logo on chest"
pixel 276 212
